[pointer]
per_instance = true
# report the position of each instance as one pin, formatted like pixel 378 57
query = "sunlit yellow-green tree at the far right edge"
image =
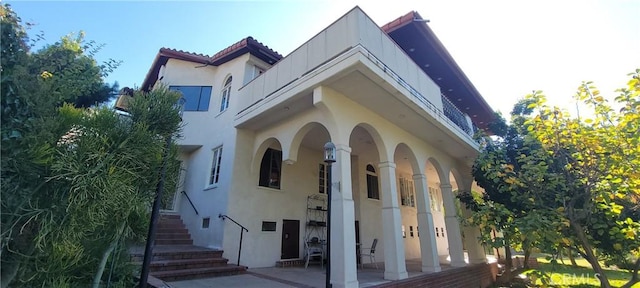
pixel 599 158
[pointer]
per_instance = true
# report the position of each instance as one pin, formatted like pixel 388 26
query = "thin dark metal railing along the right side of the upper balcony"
pixel 450 112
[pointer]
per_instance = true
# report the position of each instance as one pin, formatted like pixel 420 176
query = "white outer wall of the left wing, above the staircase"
pixel 204 131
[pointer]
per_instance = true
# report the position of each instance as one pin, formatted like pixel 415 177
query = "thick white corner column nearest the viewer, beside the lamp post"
pixel 343 236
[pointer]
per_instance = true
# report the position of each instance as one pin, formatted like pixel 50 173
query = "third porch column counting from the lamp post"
pixel 428 248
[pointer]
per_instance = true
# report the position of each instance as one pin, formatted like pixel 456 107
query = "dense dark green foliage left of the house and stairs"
pixel 77 182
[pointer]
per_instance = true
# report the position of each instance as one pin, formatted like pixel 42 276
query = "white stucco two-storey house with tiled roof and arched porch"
pixel 394 102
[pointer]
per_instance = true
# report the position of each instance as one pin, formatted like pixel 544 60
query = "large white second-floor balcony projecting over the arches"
pixel 358 59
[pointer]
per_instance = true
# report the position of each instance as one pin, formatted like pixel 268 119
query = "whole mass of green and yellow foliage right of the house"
pixel 563 181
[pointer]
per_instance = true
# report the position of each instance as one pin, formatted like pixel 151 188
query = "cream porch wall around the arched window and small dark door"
pixel 250 204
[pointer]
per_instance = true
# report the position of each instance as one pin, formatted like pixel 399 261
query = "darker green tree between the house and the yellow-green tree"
pixel 507 170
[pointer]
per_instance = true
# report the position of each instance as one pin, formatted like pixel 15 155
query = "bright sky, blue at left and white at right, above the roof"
pixel 506 48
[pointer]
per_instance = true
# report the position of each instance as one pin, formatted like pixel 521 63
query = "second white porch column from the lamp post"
pixel 395 267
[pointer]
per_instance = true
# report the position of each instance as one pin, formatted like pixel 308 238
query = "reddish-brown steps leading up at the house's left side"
pixel 176 258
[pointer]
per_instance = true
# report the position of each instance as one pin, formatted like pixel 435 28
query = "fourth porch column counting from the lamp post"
pixel 453 227
